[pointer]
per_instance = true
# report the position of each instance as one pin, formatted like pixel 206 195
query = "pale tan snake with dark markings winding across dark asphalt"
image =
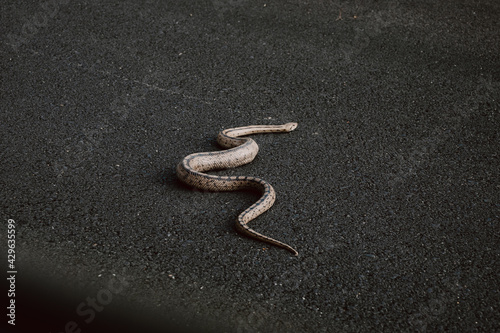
pixel 240 150
